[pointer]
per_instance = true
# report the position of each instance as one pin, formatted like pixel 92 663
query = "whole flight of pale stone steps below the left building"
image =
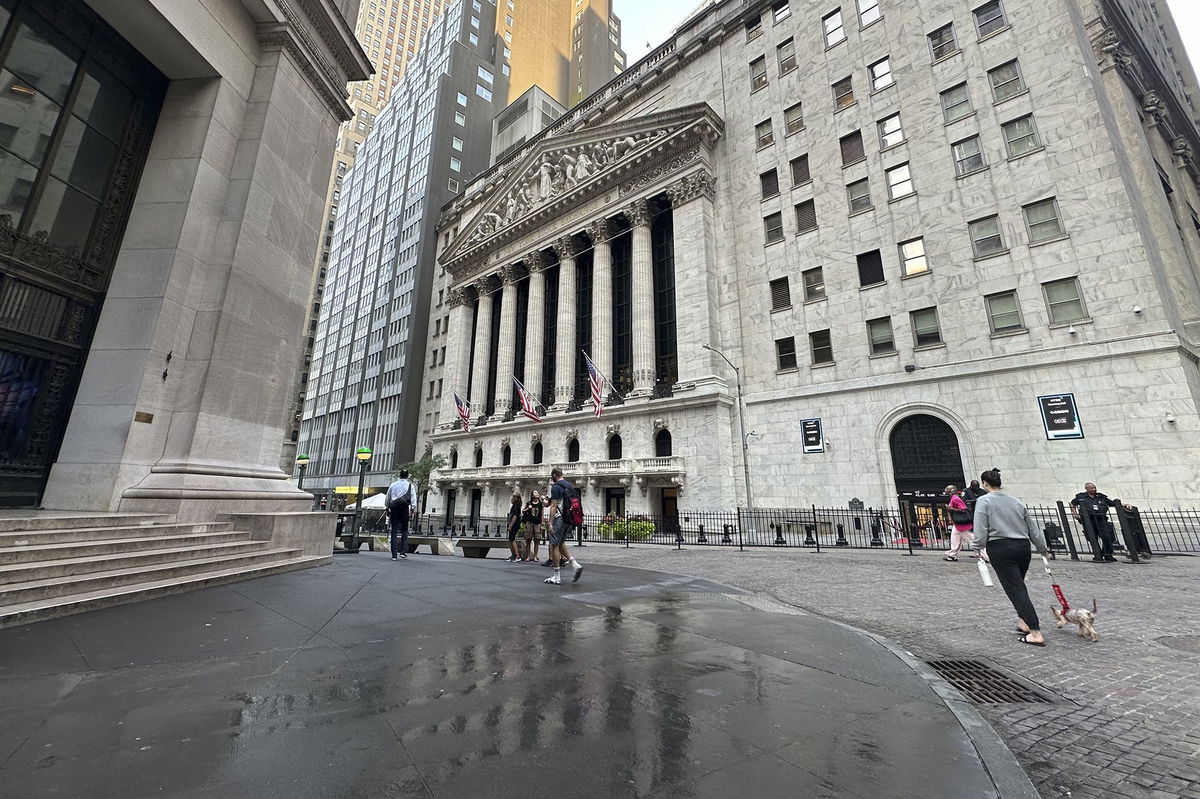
pixel 58 566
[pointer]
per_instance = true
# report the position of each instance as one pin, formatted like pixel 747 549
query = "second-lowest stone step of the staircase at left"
pixel 56 587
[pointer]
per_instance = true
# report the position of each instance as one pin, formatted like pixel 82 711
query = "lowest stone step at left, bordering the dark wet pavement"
pixel 100 598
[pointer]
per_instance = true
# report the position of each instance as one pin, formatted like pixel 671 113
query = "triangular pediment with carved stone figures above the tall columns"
pixel 560 172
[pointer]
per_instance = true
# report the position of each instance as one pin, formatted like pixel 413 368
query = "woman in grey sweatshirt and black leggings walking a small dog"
pixel 1007 531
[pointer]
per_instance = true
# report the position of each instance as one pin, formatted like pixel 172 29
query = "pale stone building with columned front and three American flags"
pixel 907 263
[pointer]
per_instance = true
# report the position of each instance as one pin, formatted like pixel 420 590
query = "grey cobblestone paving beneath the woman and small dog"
pixel 1126 722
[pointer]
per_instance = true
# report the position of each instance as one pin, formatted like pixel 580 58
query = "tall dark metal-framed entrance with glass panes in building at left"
pixel 79 107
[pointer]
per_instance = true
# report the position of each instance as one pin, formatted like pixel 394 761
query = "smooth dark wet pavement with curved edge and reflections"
pixel 447 677
